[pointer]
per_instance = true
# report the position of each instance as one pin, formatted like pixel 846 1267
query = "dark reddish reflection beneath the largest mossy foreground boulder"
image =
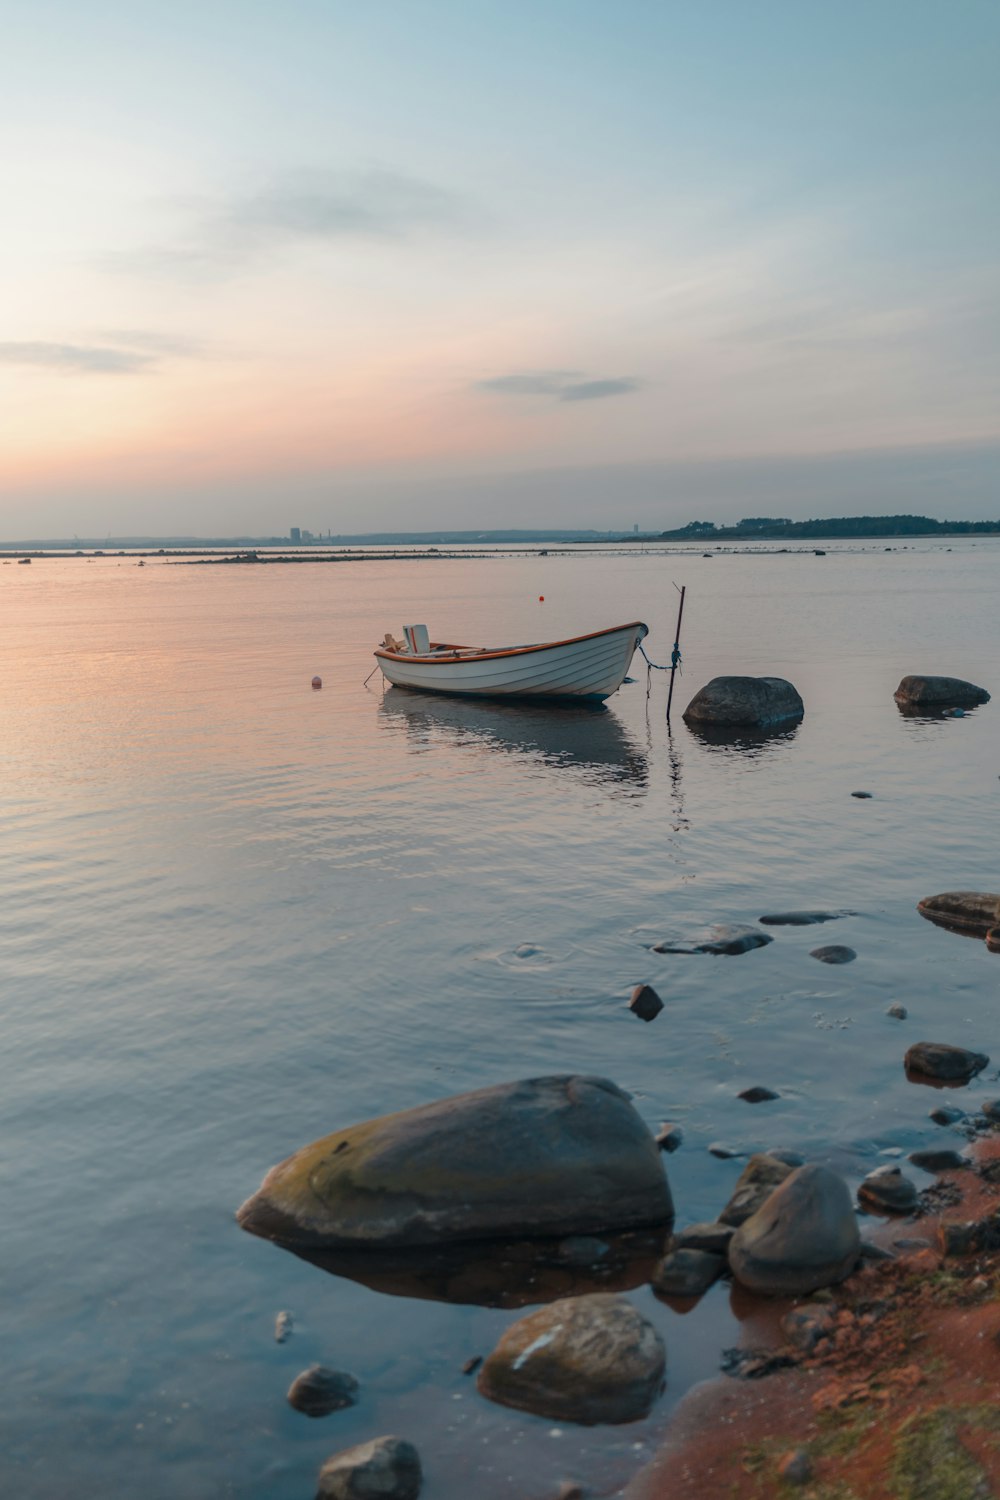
pixel 503 1274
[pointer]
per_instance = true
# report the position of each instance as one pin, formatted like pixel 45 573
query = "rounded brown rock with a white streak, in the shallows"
pixel 584 1360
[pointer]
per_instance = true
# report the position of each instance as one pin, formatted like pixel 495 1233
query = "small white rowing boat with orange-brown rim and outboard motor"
pixel 590 667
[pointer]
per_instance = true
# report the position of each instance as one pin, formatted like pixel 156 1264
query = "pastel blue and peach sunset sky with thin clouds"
pixel 404 265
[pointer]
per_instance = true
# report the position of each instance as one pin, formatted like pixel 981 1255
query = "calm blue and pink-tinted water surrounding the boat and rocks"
pixel 238 914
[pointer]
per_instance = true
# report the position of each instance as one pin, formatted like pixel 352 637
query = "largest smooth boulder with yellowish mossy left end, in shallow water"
pixel 560 1156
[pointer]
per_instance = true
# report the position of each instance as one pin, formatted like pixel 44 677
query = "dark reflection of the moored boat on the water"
pixel 585 737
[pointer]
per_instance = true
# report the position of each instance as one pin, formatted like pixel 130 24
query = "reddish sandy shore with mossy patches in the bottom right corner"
pixel 899 1402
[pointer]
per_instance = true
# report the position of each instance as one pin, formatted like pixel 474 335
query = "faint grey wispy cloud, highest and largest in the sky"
pixel 235 232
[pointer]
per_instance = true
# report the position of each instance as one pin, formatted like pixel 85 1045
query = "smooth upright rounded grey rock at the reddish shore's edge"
pixel 806 1237
